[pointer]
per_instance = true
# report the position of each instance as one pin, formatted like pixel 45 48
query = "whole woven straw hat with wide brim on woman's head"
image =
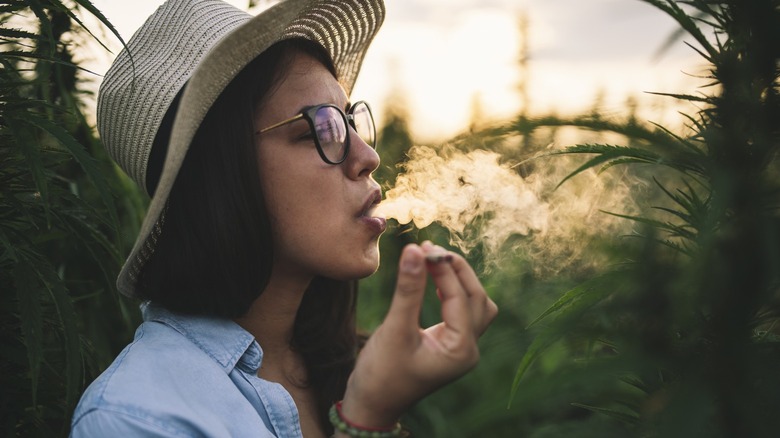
pixel 205 44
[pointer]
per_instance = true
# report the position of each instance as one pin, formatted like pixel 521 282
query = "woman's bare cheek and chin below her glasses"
pixel 313 220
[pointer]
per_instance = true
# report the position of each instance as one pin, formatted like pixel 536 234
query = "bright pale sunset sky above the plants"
pixel 448 57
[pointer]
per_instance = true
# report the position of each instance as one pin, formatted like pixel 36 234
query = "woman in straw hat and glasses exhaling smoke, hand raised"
pixel 261 218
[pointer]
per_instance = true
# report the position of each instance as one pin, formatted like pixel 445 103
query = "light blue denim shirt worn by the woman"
pixel 186 376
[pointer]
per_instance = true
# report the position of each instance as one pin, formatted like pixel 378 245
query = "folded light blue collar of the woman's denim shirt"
pixel 222 339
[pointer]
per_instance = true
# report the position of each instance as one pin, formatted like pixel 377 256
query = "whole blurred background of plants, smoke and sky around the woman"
pixel 609 167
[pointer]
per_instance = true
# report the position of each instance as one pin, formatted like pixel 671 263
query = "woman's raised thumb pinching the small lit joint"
pixel 409 289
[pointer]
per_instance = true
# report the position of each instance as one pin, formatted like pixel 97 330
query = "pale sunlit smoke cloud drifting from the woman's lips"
pixel 485 202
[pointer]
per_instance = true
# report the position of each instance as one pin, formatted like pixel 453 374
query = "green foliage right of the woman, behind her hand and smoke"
pixel 678 336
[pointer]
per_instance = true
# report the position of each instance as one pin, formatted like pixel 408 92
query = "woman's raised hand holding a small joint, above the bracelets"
pixel 402 363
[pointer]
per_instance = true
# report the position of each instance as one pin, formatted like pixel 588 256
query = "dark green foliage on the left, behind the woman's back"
pixel 59 234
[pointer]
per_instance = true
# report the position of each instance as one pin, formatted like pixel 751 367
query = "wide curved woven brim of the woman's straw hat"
pixel 344 28
